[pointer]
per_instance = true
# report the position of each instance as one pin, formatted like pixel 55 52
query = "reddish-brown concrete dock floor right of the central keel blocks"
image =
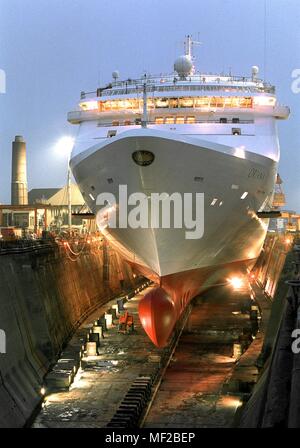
pixel 191 393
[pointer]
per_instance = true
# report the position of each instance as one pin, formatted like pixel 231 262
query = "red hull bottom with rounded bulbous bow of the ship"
pixel 161 307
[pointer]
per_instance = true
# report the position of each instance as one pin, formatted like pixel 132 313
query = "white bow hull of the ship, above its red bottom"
pixel 232 230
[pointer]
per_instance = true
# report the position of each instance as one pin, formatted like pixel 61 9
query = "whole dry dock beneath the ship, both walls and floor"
pixel 50 300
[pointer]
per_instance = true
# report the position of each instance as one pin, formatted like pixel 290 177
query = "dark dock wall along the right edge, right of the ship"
pixel 274 400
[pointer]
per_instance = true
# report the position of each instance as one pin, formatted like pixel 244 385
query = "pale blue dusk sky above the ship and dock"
pixel 51 50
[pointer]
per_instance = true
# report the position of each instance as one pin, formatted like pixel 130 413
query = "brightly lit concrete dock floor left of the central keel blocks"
pixel 103 381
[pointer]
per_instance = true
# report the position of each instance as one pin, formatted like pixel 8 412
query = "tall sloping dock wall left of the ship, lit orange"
pixel 46 291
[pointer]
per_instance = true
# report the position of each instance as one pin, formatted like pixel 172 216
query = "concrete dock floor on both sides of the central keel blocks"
pixel 191 393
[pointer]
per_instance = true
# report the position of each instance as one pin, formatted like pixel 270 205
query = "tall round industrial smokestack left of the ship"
pixel 19 191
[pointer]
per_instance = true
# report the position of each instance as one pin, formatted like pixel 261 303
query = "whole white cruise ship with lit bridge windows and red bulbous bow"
pixel 186 132
